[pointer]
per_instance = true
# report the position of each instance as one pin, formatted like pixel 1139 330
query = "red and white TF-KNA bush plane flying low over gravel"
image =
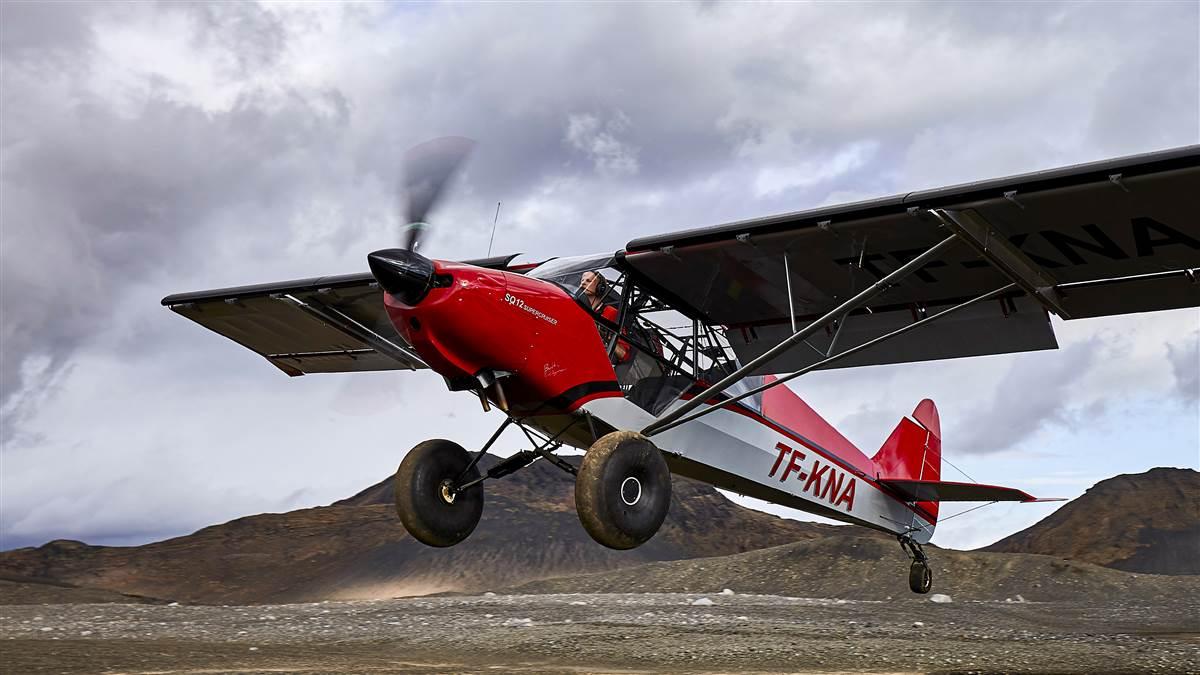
pixel 673 362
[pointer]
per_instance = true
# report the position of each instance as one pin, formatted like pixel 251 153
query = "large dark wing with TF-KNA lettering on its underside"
pixel 1105 238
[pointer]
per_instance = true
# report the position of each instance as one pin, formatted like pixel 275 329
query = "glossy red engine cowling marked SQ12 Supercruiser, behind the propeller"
pixel 464 321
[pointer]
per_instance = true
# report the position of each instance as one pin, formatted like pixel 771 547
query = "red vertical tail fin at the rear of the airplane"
pixel 914 451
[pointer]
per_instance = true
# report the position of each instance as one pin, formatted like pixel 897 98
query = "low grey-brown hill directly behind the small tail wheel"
pixel 871 569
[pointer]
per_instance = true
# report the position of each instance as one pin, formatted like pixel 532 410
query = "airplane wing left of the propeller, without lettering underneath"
pixel 320 325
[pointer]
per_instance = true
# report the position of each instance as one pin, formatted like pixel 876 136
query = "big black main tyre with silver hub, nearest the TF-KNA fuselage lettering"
pixel 623 491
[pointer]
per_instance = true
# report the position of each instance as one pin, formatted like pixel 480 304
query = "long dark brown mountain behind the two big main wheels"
pixel 358 549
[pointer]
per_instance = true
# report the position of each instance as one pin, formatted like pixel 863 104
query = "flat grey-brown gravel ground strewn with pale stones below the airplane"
pixel 611 632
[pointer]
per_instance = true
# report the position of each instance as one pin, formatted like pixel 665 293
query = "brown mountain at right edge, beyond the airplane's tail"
pixel 1147 523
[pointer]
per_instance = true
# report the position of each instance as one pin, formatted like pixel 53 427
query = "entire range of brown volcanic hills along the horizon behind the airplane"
pixel 531 540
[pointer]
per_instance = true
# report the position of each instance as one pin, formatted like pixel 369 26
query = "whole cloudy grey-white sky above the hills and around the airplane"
pixel 149 150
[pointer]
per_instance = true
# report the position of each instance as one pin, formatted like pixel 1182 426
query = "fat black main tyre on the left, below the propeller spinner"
pixel 425 499
